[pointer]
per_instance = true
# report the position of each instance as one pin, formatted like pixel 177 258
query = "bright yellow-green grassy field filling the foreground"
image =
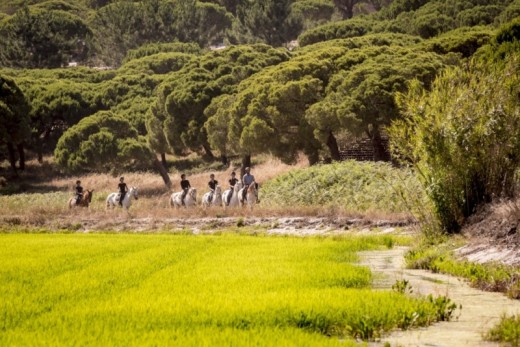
pixel 187 290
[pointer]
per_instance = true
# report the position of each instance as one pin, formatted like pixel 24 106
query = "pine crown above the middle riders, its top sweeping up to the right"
pixel 184 96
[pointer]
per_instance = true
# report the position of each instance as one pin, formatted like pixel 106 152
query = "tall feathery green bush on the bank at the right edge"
pixel 463 136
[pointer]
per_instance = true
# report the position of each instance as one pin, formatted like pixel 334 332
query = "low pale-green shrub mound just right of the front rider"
pixel 354 186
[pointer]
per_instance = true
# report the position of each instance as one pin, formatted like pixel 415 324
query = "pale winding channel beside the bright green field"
pixel 480 310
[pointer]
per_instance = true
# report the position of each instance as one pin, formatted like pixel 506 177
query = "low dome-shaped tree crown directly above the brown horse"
pixel 101 142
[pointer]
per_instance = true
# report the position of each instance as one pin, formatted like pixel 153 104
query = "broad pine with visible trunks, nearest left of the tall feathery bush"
pixel 361 98
